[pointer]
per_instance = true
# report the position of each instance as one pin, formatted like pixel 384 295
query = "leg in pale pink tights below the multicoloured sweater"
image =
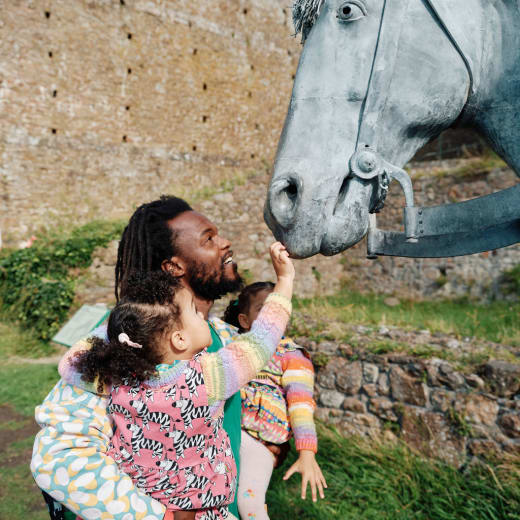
pixel 256 468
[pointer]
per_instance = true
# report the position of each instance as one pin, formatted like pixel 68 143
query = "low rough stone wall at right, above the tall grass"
pixel 435 409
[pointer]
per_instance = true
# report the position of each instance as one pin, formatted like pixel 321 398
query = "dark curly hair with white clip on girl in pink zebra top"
pixel 147 311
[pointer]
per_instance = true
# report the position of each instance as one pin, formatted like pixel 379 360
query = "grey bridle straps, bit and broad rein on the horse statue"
pixel 476 225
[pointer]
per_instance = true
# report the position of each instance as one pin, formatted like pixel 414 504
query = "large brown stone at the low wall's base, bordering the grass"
pixel 431 434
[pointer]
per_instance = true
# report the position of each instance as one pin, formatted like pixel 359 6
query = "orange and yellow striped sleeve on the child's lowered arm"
pixel 298 384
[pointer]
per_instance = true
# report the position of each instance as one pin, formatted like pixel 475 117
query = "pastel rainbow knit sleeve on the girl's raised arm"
pixel 229 369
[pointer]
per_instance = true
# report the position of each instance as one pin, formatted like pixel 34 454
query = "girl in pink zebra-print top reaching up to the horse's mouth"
pixel 167 394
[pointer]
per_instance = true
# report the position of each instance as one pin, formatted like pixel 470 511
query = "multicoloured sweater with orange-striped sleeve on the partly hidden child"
pixel 279 401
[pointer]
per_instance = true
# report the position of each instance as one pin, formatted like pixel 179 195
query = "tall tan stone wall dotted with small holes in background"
pixel 104 103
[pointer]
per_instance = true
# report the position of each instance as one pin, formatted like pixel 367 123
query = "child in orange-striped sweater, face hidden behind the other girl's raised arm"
pixel 277 402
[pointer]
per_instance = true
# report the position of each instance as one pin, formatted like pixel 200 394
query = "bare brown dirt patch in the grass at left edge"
pixel 26 427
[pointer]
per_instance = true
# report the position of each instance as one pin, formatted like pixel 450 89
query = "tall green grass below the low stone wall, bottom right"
pixel 376 481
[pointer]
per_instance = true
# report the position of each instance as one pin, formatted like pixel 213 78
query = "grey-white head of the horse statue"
pixel 385 75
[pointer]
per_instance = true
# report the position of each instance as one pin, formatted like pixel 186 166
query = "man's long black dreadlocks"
pixel 147 240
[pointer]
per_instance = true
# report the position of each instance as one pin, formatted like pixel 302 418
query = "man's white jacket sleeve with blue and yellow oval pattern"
pixel 70 463
